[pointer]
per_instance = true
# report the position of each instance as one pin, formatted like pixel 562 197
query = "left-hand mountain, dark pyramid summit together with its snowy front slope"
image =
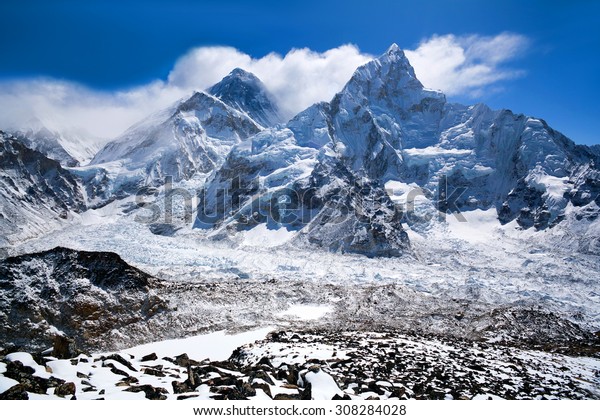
pixel 194 135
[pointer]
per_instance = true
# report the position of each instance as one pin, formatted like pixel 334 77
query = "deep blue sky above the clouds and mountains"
pixel 116 45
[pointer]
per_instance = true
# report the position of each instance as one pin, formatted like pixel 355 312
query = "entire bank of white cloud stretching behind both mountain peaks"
pixel 457 65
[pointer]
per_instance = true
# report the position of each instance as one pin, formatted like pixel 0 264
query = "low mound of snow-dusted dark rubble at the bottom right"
pixel 394 365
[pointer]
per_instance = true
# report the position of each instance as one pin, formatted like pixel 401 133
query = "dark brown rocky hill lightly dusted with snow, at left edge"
pixel 83 294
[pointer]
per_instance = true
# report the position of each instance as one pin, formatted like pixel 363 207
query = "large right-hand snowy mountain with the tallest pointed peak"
pixel 346 173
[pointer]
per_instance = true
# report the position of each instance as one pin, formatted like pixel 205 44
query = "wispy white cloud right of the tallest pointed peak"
pixel 466 65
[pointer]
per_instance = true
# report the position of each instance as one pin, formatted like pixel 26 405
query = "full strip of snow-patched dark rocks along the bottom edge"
pixel 318 365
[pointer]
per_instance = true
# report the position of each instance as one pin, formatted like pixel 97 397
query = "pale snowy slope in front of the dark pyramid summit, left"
pixel 190 137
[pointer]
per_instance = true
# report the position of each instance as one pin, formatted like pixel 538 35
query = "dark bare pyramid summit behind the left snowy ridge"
pixel 246 93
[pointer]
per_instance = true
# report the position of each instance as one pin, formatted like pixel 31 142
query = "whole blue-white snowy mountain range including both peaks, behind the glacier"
pixel 351 174
